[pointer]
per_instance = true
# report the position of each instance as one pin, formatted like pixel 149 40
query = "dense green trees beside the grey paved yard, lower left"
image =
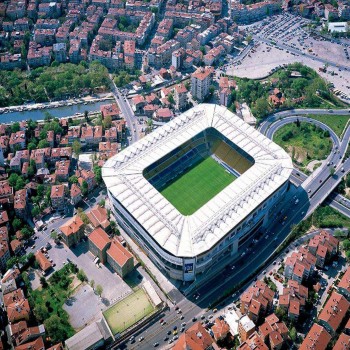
pixel 47 302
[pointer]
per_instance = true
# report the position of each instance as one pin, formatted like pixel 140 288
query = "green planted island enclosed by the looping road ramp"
pixel 304 143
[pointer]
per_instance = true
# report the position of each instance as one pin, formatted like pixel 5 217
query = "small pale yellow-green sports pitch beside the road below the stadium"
pixel 128 311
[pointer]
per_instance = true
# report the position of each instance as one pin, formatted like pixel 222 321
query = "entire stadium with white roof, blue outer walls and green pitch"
pixel 196 189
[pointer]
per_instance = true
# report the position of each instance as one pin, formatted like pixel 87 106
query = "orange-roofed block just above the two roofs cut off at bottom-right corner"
pixel 334 312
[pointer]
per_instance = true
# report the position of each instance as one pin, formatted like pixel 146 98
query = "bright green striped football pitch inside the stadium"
pixel 197 186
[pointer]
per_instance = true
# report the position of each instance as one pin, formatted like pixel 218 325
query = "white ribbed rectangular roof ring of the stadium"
pixel 189 236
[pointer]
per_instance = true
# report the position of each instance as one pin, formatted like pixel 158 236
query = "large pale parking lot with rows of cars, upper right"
pixel 286 39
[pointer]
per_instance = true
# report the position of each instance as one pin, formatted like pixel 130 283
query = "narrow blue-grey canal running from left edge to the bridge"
pixel 59 112
